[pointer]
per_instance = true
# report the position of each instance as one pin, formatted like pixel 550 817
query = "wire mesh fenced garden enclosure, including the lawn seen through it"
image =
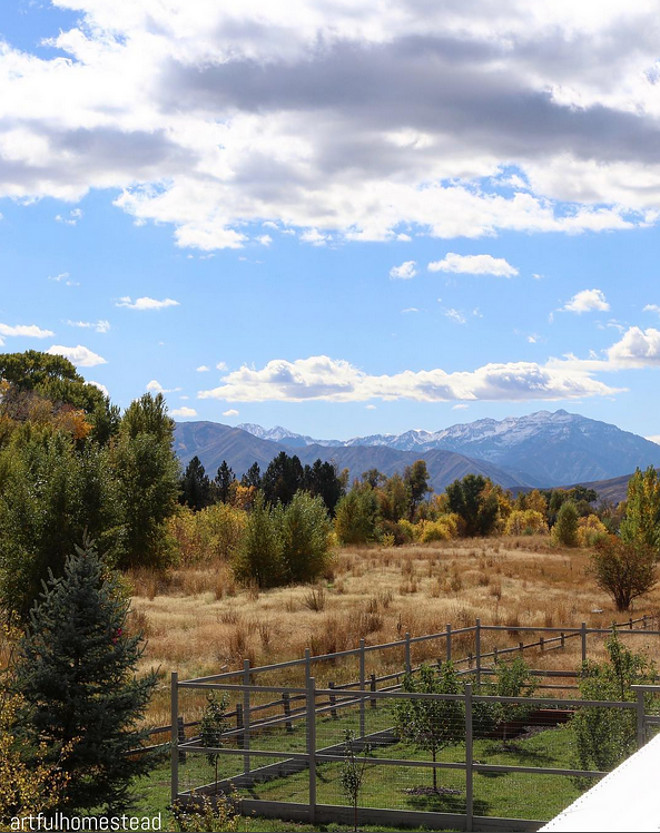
pixel 382 749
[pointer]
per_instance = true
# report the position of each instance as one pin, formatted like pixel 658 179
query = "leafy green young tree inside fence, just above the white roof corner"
pixel 607 736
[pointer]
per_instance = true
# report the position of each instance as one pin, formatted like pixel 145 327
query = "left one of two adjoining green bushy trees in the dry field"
pixel 259 556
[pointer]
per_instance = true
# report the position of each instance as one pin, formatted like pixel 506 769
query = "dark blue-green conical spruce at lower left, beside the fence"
pixel 76 674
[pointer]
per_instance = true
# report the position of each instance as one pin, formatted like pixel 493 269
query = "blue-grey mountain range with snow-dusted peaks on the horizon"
pixel 543 449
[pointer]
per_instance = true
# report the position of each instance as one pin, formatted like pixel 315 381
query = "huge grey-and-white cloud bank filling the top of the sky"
pixel 342 121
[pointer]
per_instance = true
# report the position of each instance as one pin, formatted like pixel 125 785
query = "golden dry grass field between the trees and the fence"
pixel 199 622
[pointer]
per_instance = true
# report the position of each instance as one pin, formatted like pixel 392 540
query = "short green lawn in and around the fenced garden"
pixel 509 795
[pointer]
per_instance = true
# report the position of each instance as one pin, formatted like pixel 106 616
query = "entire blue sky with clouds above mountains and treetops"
pixel 342 217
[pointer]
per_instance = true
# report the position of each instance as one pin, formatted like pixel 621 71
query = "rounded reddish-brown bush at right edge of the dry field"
pixel 624 570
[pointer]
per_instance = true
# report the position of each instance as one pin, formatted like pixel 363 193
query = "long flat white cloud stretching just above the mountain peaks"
pixel 336 380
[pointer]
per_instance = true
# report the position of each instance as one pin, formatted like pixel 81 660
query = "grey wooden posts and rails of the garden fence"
pixel 307 704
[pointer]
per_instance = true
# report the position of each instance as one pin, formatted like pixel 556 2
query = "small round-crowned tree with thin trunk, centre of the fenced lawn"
pixel 431 724
